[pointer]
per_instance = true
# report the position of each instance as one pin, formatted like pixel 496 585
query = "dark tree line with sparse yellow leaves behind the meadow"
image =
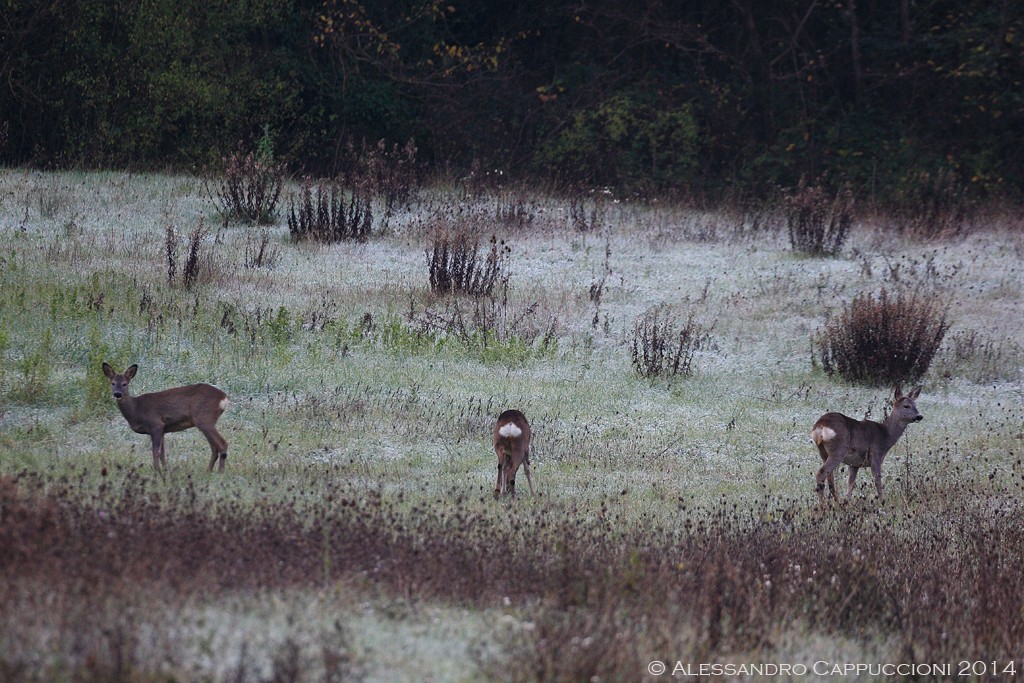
pixel 699 96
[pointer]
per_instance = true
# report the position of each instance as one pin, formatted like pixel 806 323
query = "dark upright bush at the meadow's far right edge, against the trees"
pixel 818 221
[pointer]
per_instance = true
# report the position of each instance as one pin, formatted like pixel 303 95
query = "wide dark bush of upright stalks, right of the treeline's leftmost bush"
pixel 329 218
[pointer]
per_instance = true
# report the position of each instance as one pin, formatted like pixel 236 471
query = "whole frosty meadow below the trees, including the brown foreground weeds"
pixel 355 534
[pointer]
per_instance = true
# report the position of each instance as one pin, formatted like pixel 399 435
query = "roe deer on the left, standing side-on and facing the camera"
pixel 172 411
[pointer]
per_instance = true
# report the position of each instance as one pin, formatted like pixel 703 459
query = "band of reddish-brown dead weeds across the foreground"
pixel 720 581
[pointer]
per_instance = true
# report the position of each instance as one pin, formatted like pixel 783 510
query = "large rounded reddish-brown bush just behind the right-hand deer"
pixel 886 340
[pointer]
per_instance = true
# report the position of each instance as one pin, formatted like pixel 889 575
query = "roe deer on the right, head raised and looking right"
pixel 858 444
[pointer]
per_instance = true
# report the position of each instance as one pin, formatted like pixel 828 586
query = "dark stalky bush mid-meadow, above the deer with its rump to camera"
pixel 455 267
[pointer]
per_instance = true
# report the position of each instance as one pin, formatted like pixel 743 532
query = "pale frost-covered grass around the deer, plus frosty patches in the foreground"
pixel 331 381
